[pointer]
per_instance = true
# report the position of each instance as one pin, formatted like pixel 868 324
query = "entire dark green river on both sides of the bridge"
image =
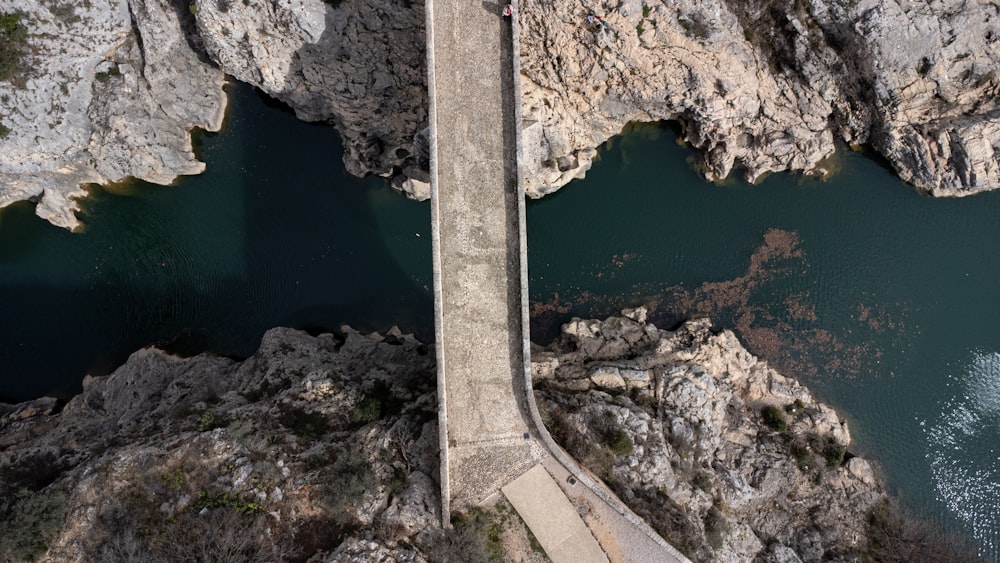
pixel 886 303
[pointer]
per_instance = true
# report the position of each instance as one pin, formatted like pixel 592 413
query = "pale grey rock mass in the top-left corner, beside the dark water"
pixel 108 90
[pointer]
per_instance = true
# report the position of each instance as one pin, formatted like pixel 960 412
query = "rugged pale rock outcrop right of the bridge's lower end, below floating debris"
pixel 681 432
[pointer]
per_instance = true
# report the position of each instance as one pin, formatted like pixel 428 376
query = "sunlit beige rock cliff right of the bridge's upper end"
pixel 768 86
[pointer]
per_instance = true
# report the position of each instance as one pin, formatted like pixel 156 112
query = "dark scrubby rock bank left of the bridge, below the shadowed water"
pixel 284 455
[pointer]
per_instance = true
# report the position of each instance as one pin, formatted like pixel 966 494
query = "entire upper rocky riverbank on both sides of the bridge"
pixel 110 89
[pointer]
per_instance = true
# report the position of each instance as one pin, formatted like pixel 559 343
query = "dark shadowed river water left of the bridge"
pixel 274 233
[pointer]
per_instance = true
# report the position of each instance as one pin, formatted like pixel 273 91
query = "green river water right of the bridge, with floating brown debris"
pixel 885 302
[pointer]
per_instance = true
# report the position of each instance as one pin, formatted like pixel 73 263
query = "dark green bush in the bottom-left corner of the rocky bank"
pixel 29 520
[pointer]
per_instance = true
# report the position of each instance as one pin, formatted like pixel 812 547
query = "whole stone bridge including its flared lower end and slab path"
pixel 491 437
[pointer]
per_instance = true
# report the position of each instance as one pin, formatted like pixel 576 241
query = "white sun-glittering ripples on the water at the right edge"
pixel 961 454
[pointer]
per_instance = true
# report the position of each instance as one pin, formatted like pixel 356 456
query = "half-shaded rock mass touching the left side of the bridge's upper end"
pixel 359 64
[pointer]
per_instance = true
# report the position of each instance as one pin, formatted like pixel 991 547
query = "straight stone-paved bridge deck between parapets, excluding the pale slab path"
pixel 487 442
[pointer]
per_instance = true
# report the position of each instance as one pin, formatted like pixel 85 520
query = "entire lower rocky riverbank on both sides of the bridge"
pixel 325 447
